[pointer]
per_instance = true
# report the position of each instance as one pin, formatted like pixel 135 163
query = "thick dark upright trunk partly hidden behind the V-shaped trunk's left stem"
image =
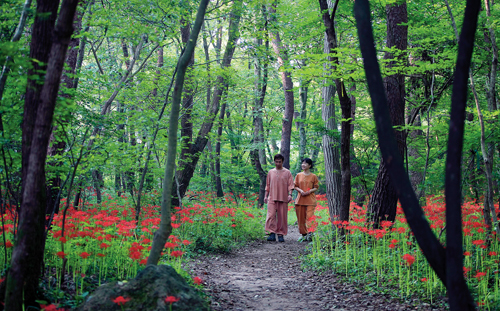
pixel 384 199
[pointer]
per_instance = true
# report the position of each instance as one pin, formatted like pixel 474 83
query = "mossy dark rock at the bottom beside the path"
pixel 147 291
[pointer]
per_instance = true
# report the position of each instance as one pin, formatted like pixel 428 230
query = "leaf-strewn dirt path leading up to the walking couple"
pixel 268 276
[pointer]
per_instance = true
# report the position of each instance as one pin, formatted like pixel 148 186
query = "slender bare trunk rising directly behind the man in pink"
pixel 286 79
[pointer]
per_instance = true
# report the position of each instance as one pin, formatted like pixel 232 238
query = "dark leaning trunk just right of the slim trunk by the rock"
pixel 188 163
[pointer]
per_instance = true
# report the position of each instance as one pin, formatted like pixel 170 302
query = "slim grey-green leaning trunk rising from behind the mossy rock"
pixel 161 235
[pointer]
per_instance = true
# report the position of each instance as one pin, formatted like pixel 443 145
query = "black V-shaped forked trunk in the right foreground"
pixel 447 264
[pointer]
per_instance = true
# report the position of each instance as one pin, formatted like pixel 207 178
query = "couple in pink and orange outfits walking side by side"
pixel 279 187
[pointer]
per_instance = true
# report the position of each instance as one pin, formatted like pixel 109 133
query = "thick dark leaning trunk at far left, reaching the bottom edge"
pixel 27 257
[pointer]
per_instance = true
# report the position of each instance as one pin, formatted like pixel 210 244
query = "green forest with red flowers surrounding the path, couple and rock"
pixel 139 133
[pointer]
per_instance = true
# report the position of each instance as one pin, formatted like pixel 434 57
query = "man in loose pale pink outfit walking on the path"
pixel 279 187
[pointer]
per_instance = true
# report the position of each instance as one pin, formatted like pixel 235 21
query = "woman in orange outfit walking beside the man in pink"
pixel 306 183
